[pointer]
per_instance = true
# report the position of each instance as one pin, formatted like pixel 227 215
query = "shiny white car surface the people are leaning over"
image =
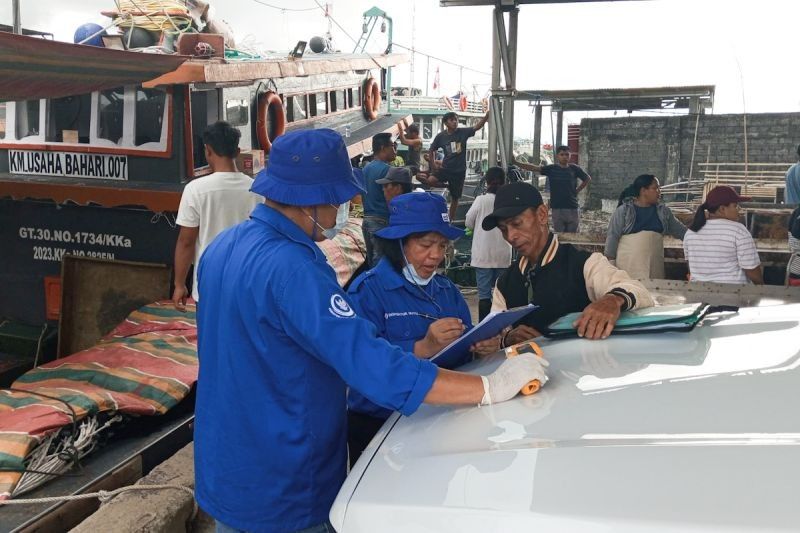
pixel 696 431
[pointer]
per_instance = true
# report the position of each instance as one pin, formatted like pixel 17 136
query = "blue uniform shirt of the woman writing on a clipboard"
pixel 398 308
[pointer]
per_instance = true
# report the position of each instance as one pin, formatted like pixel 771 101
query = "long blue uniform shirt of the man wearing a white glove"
pixel 277 341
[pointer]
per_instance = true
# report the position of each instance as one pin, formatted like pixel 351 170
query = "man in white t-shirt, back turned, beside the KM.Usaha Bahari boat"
pixel 210 204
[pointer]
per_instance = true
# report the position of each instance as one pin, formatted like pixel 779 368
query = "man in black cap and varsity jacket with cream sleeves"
pixel 560 279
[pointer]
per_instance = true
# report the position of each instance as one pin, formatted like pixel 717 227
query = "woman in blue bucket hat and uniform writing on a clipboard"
pixel 411 305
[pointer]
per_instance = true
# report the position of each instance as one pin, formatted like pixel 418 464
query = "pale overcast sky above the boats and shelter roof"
pixel 747 49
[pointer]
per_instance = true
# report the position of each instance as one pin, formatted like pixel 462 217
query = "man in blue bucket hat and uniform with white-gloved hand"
pixel 279 342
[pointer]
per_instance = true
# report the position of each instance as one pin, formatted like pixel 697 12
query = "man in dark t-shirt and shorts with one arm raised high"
pixel 451 171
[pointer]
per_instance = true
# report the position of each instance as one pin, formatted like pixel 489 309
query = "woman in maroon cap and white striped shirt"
pixel 717 246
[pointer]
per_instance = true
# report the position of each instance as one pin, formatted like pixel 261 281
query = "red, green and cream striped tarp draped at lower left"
pixel 145 366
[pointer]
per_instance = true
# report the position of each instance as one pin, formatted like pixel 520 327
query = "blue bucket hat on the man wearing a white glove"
pixel 308 167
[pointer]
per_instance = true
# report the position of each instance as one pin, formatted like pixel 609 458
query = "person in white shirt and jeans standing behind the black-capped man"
pixel 491 254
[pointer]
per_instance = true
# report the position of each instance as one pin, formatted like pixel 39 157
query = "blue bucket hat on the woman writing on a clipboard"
pixel 418 212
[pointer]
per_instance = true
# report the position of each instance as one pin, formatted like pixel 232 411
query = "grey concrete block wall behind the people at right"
pixel 615 150
